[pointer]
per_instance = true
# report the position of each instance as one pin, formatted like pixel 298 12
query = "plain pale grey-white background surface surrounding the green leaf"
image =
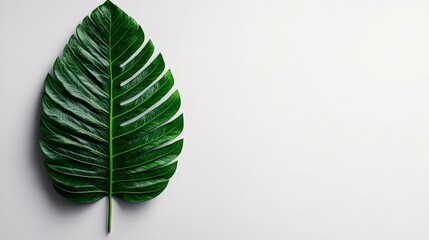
pixel 305 120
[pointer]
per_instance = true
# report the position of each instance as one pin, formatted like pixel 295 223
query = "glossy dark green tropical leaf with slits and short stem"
pixel 110 118
